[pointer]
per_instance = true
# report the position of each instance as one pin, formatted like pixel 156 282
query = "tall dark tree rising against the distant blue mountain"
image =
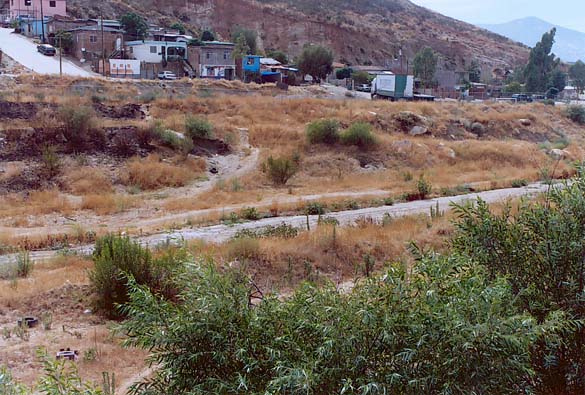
pixel 541 63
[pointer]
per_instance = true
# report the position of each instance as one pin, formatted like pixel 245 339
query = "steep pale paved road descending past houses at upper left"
pixel 25 52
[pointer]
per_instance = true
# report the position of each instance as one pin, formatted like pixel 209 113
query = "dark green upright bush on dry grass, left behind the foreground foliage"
pixel 116 258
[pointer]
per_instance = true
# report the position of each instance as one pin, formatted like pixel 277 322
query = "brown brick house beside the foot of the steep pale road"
pixel 88 45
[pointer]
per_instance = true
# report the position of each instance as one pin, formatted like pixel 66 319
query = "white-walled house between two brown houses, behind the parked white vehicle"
pixel 156 51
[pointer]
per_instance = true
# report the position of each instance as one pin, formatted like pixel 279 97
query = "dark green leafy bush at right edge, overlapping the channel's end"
pixel 539 247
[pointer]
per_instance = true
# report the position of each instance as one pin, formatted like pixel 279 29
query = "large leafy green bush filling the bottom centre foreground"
pixel 442 325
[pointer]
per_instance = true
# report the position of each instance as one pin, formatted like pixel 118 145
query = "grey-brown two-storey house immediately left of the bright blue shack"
pixel 213 59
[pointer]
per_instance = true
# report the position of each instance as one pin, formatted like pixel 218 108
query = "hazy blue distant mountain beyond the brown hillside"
pixel 569 45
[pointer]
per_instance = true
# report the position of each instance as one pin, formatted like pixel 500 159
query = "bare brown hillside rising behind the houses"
pixel 360 32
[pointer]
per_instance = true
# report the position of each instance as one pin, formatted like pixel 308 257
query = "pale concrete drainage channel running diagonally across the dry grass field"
pixel 222 233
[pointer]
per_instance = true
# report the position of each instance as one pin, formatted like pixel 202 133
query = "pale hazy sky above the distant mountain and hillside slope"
pixel 567 13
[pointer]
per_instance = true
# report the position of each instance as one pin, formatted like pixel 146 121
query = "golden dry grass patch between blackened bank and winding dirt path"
pixel 152 173
